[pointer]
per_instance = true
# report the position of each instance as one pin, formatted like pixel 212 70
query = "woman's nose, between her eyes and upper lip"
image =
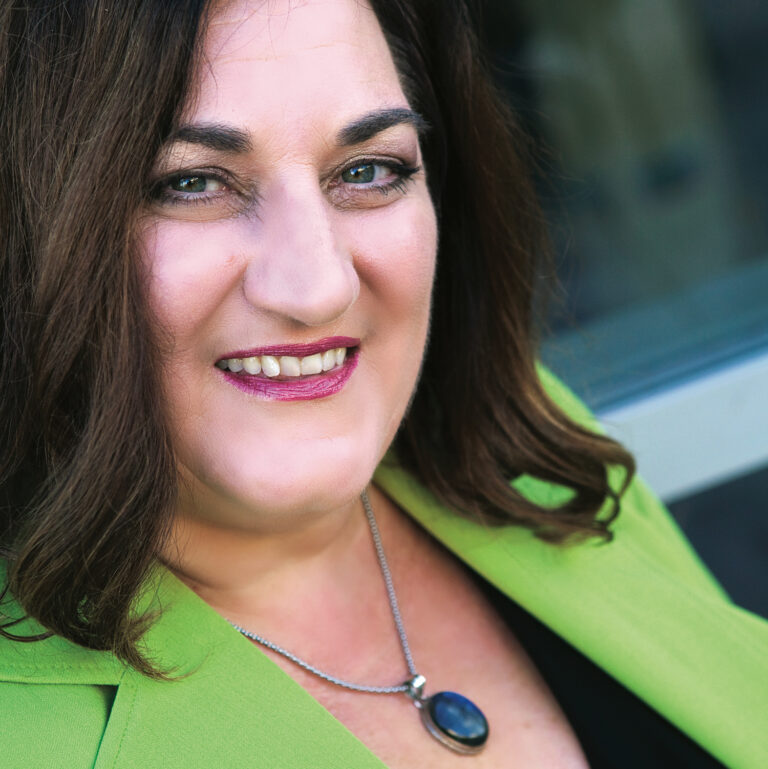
pixel 298 269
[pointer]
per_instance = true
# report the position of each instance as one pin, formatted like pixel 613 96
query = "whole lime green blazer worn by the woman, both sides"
pixel 642 607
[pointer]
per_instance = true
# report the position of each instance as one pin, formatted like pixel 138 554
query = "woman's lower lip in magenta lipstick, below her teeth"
pixel 305 388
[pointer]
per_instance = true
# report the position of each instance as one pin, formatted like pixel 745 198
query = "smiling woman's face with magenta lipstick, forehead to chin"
pixel 291 226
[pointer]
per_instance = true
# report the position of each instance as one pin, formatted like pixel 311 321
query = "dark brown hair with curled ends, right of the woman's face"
pixel 480 416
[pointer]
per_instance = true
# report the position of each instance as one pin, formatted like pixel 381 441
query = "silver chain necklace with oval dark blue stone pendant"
pixel 453 720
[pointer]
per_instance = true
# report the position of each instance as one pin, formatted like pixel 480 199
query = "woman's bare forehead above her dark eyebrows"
pixel 273 62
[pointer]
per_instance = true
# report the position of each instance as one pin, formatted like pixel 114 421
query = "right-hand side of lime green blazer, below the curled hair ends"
pixel 645 611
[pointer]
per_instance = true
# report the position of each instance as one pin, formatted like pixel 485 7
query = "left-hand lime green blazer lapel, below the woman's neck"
pixel 230 703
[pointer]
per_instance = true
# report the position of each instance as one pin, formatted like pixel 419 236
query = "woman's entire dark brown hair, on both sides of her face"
pixel 87 479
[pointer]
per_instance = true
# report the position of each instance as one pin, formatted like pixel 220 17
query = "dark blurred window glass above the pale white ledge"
pixel 652 117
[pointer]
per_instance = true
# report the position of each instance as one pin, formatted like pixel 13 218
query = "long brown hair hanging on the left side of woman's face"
pixel 88 92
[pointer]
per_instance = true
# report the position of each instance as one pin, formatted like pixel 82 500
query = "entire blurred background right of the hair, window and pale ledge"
pixel 651 124
